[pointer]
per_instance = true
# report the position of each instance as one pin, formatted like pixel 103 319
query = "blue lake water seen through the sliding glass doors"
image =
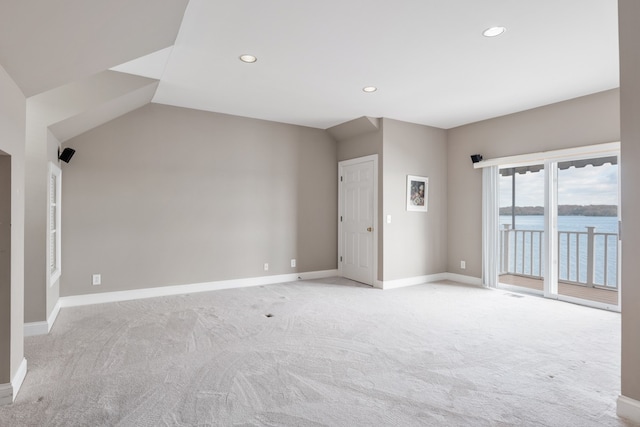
pixel 526 249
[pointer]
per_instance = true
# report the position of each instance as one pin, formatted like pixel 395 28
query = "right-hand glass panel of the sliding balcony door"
pixel 587 200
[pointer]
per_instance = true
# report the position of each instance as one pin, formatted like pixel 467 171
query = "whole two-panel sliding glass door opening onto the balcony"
pixel 561 213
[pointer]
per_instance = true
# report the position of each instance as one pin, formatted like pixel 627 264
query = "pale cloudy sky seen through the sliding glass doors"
pixel 576 186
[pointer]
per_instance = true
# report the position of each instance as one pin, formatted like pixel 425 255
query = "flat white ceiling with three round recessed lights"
pixel 428 58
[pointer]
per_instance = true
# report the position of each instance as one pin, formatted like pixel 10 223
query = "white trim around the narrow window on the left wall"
pixel 56 272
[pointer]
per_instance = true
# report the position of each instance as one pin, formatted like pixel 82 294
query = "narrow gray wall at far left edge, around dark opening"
pixel 12 136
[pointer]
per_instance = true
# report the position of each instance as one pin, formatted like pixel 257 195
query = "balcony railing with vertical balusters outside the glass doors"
pixel 586 258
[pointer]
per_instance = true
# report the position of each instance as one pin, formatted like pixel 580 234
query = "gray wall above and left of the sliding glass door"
pixel 582 121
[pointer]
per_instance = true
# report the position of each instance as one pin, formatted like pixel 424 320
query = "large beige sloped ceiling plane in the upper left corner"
pixel 45 44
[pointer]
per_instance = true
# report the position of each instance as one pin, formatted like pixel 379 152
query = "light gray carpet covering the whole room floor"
pixel 333 353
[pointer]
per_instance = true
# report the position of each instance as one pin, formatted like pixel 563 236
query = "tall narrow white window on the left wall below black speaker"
pixel 55 186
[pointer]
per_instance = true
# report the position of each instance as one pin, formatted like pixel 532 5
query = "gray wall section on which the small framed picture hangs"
pixel 415 243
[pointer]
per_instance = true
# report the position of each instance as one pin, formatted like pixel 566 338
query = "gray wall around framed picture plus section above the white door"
pixel 414 244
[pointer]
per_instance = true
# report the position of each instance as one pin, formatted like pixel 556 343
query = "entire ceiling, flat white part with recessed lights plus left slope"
pixel 428 58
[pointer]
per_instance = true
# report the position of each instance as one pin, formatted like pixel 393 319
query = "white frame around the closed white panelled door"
pixel 374 250
